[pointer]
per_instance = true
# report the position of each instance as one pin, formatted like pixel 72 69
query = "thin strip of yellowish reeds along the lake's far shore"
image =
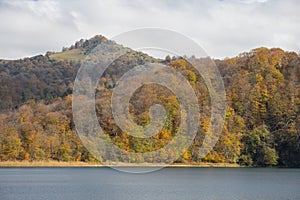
pixel 73 164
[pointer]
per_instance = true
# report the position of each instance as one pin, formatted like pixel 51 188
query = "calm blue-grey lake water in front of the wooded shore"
pixel 168 183
